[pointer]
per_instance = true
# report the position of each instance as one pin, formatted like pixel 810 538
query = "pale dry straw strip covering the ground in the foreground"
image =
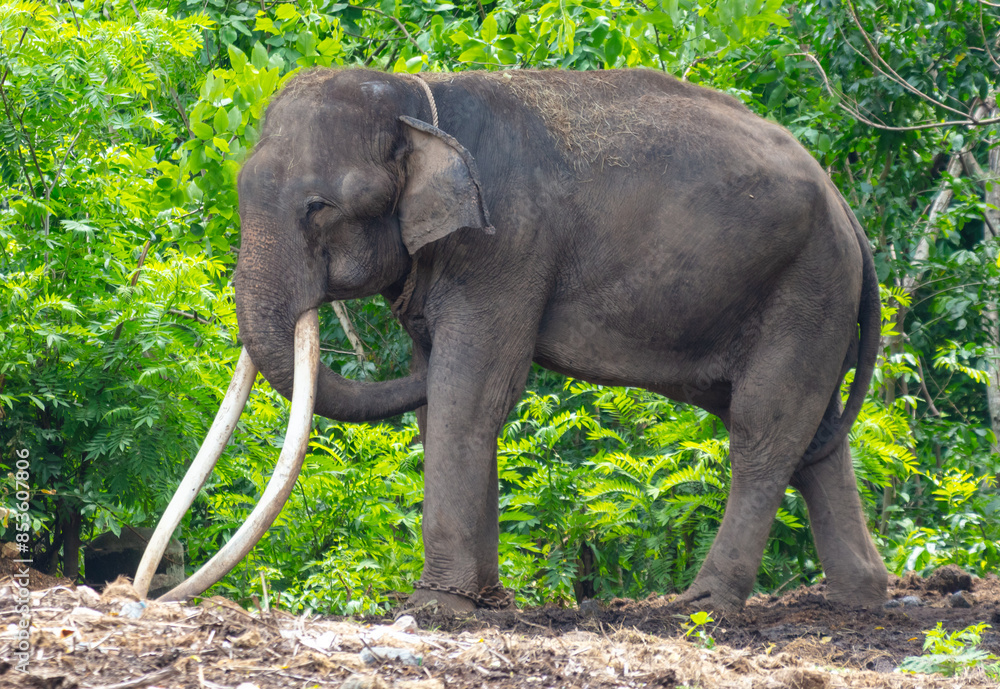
pixel 80 639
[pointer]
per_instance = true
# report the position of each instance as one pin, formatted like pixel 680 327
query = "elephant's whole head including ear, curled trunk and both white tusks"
pixel 347 184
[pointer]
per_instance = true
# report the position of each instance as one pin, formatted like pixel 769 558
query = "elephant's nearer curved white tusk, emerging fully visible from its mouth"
pixel 285 471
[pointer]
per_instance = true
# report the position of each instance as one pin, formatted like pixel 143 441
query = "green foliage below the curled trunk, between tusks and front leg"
pixel 350 533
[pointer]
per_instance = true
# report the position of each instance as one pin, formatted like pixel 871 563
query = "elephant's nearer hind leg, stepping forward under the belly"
pixel 777 403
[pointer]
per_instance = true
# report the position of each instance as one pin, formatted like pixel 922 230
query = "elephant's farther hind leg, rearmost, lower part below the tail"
pixel 855 573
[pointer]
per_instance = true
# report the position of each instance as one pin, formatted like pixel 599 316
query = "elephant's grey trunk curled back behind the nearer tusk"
pixel 275 282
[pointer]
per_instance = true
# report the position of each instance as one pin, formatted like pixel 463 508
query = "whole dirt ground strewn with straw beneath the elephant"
pixel 798 641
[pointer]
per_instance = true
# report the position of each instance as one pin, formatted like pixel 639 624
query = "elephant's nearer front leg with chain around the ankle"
pixel 472 386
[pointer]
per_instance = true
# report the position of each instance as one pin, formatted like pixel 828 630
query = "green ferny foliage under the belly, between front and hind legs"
pixel 640 520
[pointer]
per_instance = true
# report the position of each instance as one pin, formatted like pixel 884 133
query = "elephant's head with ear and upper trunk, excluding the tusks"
pixel 346 185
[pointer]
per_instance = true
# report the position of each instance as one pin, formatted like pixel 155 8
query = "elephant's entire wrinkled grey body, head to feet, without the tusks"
pixel 621 227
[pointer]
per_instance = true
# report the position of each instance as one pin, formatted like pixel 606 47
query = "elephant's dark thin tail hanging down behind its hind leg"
pixel 834 428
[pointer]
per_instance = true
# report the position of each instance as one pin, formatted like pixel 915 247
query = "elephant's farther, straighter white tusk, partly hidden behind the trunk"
pixel 200 469
